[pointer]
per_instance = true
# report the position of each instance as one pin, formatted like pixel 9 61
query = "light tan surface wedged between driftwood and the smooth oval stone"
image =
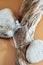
pixel 39 30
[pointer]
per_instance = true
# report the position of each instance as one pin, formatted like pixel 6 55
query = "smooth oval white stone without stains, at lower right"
pixel 34 52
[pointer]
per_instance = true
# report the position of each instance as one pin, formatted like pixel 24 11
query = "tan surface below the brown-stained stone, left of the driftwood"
pixel 7 52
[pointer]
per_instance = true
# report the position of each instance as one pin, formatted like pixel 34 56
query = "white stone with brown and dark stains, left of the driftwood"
pixel 7 23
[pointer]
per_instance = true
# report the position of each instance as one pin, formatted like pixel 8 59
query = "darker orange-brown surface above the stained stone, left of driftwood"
pixel 13 4
